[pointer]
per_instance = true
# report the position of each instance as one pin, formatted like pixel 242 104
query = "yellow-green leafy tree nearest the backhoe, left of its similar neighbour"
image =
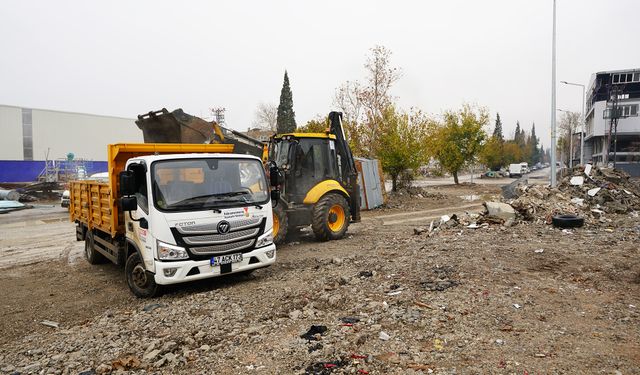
pixel 402 143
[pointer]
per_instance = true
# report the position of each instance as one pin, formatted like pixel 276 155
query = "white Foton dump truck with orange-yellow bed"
pixel 172 213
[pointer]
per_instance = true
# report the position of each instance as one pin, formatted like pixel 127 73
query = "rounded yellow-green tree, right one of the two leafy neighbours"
pixel 459 140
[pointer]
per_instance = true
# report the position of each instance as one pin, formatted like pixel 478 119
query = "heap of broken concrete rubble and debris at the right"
pixel 588 192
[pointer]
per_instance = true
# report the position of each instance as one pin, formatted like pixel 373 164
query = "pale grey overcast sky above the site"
pixel 124 58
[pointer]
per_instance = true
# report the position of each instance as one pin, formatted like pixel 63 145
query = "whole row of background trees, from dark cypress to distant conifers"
pixel 405 140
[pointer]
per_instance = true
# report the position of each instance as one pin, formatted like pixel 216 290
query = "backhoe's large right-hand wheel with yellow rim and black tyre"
pixel 330 217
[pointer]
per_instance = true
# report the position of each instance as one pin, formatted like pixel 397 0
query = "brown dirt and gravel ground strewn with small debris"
pixel 526 299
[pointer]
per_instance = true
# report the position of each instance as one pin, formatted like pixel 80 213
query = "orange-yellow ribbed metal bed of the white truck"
pixel 96 203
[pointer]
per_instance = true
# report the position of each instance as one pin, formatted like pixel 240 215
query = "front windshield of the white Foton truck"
pixel 192 184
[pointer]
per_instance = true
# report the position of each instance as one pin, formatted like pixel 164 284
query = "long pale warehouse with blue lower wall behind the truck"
pixel 31 136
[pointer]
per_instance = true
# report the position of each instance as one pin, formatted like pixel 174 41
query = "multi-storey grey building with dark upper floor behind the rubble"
pixel 613 95
